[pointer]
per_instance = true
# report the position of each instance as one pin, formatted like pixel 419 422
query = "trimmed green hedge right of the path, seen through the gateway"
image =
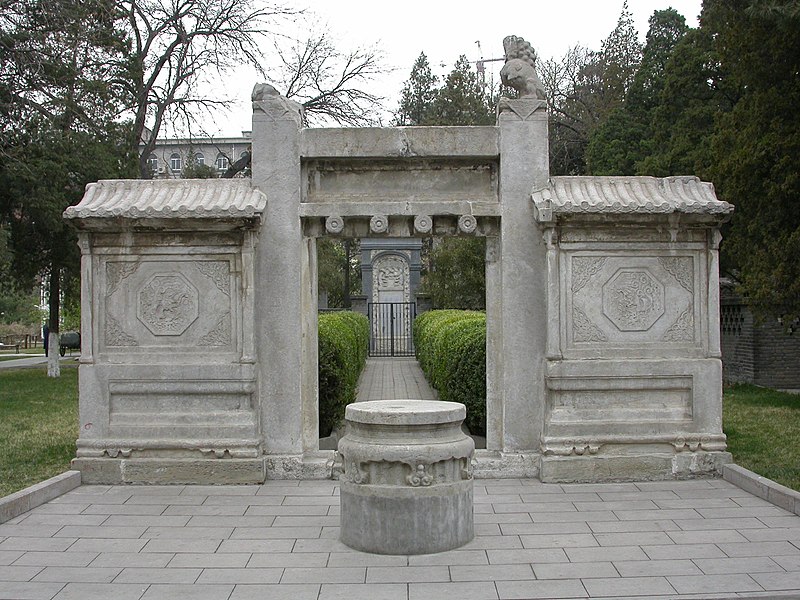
pixel 451 349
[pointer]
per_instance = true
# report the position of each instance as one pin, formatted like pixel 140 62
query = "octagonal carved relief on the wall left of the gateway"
pixel 167 304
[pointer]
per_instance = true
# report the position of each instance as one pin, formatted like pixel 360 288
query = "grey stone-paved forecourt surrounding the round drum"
pixel 622 540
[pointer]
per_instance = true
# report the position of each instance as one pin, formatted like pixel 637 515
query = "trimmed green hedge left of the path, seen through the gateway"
pixel 343 346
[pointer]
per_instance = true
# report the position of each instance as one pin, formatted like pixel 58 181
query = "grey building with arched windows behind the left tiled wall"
pixel 172 157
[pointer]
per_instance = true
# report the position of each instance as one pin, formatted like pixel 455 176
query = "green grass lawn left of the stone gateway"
pixel 38 425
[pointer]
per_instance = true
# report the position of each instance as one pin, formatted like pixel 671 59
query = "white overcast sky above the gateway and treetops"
pixel 445 29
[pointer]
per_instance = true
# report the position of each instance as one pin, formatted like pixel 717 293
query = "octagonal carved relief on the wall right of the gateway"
pixel 633 299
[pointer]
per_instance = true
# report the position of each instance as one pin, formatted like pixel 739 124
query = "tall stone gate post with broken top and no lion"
pixel 285 302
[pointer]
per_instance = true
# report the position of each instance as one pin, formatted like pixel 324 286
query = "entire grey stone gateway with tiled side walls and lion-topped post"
pixel 199 307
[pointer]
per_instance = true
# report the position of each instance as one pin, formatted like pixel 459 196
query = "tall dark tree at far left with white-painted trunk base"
pixel 58 100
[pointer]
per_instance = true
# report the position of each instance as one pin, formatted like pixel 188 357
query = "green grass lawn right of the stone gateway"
pixel 763 429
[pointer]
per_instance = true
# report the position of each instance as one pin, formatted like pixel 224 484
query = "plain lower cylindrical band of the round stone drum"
pixel 385 519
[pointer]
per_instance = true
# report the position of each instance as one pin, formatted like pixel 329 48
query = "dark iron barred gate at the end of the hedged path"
pixel 391 328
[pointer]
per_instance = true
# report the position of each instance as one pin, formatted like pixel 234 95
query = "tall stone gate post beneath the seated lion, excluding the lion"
pixel 523 166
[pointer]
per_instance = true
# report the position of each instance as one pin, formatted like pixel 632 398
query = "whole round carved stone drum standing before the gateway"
pixel 407 481
